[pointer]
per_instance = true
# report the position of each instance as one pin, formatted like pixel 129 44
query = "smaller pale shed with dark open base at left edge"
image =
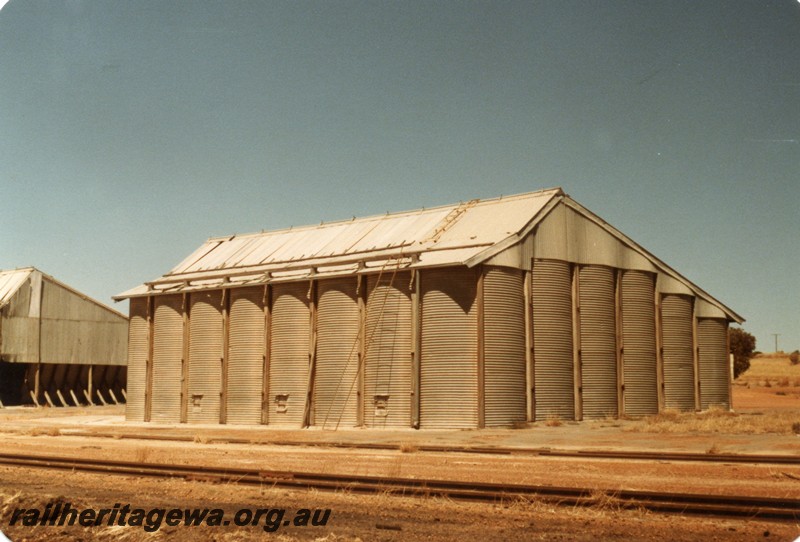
pixel 57 345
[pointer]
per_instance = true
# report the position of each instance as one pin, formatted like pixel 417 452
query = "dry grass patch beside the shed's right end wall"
pixel 716 421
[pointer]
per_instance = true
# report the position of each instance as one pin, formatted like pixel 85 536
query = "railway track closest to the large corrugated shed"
pixel 489 450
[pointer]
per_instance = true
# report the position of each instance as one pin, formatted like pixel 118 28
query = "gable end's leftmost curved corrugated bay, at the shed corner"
pixel 504 346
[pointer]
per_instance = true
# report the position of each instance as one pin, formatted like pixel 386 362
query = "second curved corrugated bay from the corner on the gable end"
pixel 553 365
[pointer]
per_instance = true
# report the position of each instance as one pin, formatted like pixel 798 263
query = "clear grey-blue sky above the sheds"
pixel 132 131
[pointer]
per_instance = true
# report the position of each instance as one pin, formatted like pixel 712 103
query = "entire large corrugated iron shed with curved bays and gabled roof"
pixel 421 319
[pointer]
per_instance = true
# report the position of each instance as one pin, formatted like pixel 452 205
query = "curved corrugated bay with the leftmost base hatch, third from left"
pixel 205 357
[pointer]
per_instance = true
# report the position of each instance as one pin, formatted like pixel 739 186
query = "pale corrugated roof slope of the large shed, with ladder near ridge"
pixel 438 236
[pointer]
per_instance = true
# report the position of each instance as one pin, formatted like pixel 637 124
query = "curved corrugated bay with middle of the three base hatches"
pixel 289 354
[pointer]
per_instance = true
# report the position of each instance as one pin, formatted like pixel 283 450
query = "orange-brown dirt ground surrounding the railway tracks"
pixel 101 432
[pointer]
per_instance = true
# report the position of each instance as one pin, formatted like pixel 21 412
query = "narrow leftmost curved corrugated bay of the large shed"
pixel 137 360
